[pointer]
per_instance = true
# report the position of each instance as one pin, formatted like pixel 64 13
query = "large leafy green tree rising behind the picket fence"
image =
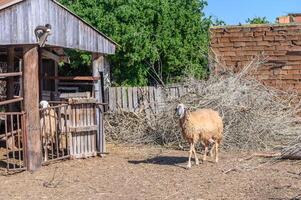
pixel 159 39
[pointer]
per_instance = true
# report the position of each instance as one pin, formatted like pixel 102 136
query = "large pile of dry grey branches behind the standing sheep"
pixel 255 117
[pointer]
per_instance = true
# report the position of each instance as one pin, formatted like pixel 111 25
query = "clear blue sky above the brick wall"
pixel 238 11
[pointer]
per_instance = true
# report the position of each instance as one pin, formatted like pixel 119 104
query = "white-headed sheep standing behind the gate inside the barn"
pixel 48 127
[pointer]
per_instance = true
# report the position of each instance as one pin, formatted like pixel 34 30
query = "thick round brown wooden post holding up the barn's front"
pixel 31 107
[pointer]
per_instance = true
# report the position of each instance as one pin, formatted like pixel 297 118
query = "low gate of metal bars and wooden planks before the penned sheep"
pixel 71 130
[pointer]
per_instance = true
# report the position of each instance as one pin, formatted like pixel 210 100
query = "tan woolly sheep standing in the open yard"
pixel 203 124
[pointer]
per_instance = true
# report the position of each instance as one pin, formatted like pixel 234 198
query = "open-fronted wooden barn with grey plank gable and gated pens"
pixel 33 38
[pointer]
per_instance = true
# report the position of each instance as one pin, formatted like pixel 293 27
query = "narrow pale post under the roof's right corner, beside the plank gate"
pixel 98 62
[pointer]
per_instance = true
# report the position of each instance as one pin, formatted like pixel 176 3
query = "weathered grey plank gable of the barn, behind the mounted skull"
pixel 18 20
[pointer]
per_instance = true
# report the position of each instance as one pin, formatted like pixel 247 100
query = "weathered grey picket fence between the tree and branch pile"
pixel 134 99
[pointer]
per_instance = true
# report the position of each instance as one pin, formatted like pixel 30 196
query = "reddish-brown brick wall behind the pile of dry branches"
pixel 236 46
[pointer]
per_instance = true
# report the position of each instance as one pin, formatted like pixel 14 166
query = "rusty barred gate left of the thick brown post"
pixel 13 152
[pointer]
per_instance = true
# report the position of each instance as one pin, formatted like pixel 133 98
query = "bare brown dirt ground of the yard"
pixel 143 172
